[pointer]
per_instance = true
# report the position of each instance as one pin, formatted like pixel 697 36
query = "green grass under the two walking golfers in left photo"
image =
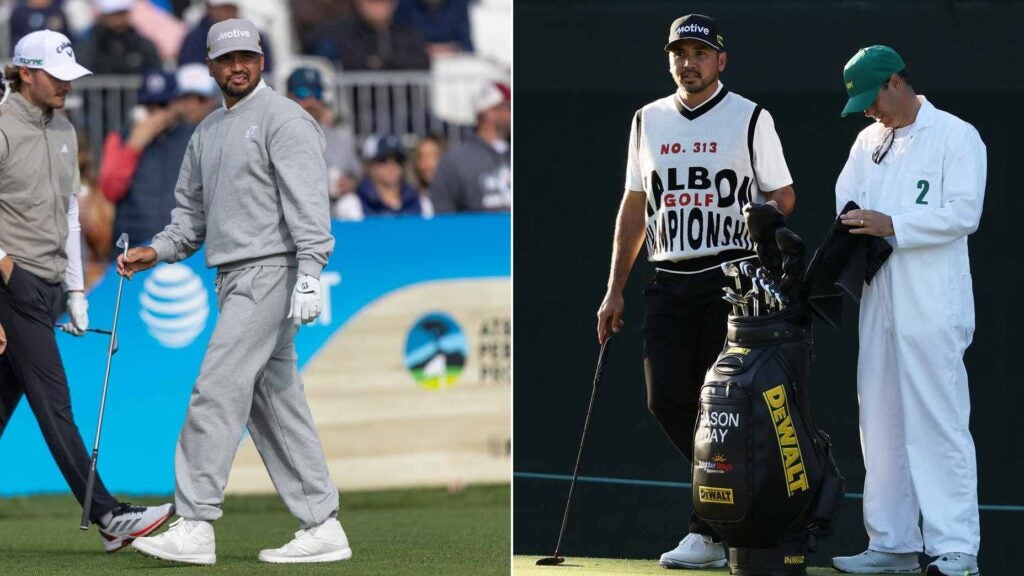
pixel 421 532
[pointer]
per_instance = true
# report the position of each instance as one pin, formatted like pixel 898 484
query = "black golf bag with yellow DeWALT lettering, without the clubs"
pixel 764 477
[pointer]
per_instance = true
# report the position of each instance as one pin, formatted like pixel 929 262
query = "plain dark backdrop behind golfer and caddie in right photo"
pixel 582 70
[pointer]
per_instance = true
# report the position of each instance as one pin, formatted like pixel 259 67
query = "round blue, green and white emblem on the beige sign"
pixel 436 351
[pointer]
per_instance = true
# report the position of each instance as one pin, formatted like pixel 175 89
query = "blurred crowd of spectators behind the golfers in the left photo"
pixel 387 175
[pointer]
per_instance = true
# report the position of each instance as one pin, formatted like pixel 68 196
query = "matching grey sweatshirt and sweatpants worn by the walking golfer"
pixel 253 186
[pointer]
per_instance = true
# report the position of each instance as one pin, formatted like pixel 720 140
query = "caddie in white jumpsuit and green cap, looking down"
pixel 919 175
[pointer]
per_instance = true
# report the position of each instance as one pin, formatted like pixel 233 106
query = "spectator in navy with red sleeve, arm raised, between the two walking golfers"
pixel 141 164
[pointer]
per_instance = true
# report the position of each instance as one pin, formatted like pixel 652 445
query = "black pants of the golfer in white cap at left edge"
pixel 32 367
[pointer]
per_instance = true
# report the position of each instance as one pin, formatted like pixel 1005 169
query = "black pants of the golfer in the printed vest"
pixel 685 331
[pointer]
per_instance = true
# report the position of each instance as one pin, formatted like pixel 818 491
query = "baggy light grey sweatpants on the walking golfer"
pixel 249 377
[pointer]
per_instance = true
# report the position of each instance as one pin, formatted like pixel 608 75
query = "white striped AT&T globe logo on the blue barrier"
pixel 176 306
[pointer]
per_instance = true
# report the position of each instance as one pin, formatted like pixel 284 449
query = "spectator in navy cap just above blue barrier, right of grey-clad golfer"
pixel 385 191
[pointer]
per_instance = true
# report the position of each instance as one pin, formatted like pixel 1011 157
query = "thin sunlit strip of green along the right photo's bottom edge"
pixel 526 566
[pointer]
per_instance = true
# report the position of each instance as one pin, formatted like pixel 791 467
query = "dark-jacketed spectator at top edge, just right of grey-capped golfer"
pixel 373 40
